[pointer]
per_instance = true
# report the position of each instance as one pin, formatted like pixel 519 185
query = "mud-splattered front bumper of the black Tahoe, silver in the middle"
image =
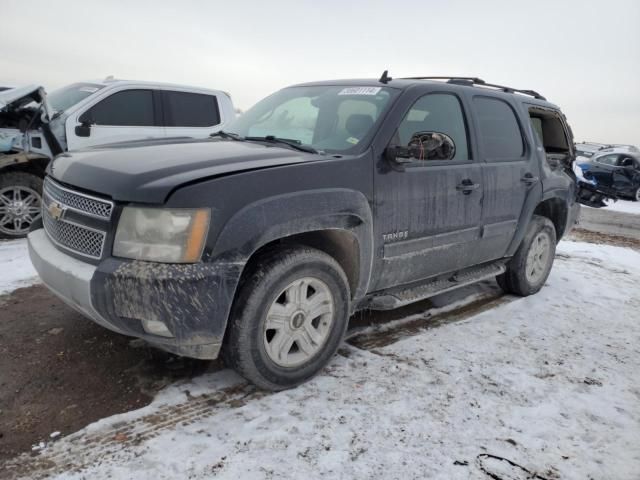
pixel 193 301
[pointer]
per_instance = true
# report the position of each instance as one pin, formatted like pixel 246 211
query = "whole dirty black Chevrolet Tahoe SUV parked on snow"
pixel 323 199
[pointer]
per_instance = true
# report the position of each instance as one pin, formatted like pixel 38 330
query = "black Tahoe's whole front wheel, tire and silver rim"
pixel 269 340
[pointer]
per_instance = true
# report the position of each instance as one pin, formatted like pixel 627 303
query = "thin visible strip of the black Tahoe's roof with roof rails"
pixel 450 83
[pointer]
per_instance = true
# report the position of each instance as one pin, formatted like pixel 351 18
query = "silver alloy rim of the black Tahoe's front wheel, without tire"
pixel 298 322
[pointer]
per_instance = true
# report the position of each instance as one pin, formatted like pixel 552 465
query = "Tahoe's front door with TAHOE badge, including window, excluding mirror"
pixel 427 216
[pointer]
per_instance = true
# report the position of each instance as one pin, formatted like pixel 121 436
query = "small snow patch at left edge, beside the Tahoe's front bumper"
pixel 15 267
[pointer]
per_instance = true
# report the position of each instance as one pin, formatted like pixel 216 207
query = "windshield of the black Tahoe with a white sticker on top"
pixel 327 118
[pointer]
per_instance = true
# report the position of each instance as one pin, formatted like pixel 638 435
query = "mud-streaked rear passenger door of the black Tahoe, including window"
pixel 509 172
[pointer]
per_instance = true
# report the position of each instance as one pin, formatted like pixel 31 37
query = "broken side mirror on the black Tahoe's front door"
pixel 423 146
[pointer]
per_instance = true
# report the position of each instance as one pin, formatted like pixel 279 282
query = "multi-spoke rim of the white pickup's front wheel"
pixel 19 207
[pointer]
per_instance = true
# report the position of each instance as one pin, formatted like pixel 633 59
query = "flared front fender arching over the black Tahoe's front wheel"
pixel 335 221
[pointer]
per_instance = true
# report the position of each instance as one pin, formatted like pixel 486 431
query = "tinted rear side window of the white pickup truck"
pixel 191 110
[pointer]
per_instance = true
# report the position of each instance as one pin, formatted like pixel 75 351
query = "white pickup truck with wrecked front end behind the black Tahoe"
pixel 35 126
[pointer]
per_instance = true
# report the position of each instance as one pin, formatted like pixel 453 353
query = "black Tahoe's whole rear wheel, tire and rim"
pixel 529 268
